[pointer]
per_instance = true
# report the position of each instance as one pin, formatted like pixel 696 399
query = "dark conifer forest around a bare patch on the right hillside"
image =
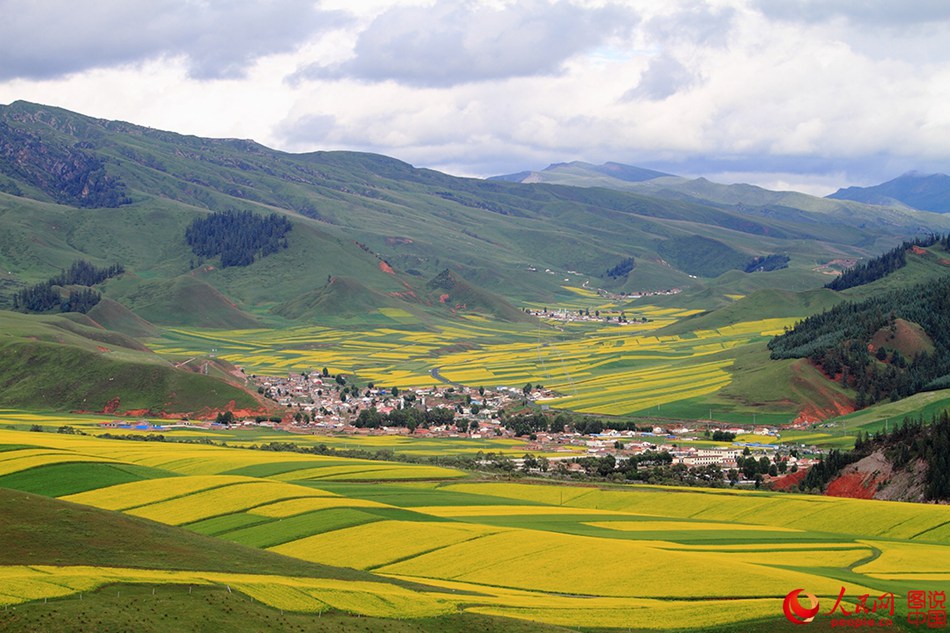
pixel 837 341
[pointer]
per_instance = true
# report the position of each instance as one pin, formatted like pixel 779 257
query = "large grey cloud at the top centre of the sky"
pixel 452 43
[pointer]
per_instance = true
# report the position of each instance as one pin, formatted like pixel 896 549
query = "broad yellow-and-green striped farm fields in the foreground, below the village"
pixel 431 542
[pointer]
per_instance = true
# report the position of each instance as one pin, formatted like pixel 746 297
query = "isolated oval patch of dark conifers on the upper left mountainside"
pixel 238 237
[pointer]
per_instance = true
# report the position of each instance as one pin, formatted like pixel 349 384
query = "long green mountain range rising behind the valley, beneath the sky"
pixel 107 191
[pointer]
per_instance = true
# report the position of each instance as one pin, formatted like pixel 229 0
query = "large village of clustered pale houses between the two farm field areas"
pixel 318 403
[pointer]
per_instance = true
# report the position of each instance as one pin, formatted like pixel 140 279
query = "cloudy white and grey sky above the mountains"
pixel 807 95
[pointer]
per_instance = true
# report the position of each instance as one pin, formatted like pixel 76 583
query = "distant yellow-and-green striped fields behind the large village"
pixel 596 368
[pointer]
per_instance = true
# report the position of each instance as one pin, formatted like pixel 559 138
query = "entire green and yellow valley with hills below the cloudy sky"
pixel 338 391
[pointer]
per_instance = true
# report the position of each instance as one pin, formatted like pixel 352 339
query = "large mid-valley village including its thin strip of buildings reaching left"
pixel 317 403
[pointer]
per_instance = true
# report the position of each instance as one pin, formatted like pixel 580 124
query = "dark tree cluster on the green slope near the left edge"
pixel 46 296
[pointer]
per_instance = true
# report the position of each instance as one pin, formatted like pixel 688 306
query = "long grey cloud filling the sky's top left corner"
pixel 47 39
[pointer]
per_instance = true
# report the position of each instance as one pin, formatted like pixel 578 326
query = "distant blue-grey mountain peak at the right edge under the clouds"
pixel 925 192
